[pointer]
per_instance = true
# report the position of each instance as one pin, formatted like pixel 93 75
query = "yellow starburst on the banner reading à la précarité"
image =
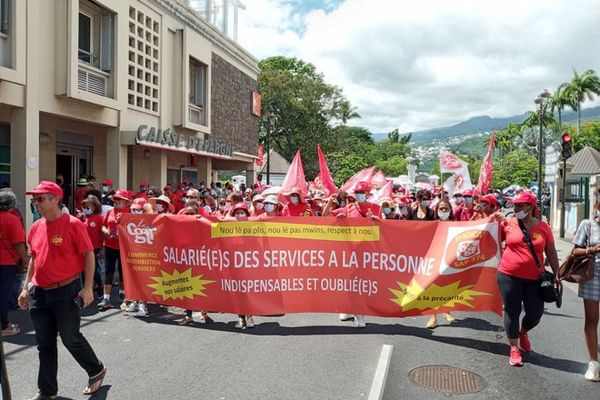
pixel 413 296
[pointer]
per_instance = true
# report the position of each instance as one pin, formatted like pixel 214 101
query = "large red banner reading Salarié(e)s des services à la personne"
pixel 311 264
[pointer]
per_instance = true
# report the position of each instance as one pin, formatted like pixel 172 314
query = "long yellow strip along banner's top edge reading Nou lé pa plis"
pixel 368 233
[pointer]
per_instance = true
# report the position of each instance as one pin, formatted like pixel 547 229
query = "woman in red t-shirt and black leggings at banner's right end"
pixel 518 275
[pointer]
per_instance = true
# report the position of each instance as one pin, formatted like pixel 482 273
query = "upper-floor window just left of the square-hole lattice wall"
pixel 95 36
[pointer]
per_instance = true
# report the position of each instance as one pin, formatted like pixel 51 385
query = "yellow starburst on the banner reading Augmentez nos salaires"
pixel 179 285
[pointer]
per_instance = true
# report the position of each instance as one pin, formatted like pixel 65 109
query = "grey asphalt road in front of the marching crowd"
pixel 311 356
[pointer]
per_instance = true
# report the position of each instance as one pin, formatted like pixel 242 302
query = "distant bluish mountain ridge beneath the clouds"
pixel 482 124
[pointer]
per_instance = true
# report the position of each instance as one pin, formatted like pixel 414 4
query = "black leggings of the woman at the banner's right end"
pixel 517 291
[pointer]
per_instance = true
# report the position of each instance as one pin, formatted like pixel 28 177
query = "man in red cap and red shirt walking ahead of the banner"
pixel 60 251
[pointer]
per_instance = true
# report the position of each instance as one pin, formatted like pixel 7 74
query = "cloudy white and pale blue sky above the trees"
pixel 415 65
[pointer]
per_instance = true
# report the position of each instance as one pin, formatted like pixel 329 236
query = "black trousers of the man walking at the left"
pixel 53 313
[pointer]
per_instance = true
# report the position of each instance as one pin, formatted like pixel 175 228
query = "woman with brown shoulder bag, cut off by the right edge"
pixel 587 243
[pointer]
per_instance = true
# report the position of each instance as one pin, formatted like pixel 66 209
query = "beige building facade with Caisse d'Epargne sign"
pixel 132 90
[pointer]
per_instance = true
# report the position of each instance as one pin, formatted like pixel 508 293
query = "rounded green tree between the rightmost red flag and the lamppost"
pixel 516 167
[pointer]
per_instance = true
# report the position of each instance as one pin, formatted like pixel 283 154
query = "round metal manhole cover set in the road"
pixel 447 379
